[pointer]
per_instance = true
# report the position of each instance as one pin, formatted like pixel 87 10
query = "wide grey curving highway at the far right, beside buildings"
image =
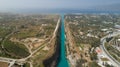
pixel 102 46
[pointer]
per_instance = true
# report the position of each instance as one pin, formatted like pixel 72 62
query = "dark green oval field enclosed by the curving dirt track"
pixel 15 49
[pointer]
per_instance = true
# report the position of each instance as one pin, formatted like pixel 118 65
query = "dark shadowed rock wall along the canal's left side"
pixel 53 59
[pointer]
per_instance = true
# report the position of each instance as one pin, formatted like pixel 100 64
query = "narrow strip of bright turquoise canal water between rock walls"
pixel 63 61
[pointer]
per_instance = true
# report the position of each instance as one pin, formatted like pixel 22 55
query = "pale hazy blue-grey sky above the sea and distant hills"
pixel 48 4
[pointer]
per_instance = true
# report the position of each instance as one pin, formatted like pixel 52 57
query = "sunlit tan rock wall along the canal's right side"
pixel 73 54
